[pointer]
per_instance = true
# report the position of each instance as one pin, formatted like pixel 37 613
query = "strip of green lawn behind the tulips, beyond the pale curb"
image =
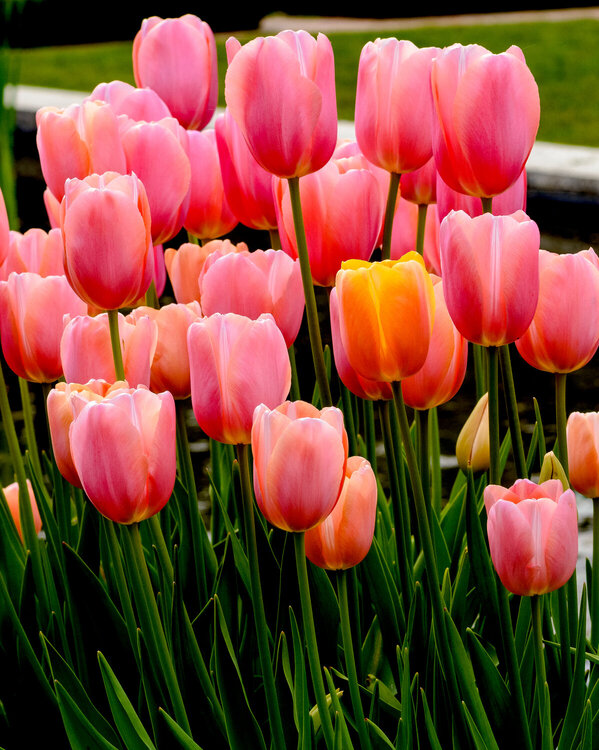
pixel 561 55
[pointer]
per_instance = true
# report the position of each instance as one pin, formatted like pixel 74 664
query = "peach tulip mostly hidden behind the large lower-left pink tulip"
pixel 60 416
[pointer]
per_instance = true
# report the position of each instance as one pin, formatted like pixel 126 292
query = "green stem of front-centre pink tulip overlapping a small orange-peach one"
pixel 311 642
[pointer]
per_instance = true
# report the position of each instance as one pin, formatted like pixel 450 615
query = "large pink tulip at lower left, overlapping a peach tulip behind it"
pixel 124 452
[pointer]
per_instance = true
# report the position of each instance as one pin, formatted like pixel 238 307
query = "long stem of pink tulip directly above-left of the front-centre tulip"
pixel 272 701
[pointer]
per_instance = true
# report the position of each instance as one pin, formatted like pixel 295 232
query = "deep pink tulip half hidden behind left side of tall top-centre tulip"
pixel 248 187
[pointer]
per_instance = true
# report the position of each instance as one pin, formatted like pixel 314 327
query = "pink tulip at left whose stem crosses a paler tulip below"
pixel 106 227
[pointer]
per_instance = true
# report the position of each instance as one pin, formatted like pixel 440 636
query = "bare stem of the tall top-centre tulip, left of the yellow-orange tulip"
pixel 320 369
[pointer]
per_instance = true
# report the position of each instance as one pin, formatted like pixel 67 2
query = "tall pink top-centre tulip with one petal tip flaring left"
pixel 281 92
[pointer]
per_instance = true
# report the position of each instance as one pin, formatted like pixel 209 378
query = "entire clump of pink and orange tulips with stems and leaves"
pixel 314 577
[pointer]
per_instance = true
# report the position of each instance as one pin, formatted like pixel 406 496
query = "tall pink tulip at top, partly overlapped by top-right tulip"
pixel 394 105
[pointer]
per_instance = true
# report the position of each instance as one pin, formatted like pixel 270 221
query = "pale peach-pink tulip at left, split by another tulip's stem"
pixel 86 351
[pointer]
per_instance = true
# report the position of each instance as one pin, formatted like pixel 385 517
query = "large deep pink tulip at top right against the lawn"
pixel 487 117
